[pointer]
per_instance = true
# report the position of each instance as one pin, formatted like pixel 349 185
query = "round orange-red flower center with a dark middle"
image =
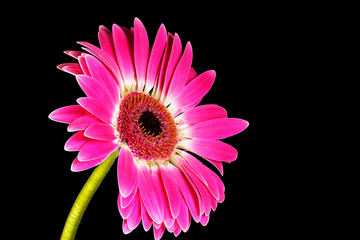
pixel 148 129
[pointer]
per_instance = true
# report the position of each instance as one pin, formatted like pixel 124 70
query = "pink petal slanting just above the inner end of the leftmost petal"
pixel 97 108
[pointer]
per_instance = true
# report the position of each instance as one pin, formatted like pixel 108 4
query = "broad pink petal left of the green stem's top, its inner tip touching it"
pixel 95 149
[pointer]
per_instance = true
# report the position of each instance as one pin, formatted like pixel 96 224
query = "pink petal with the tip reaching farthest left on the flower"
pixel 68 114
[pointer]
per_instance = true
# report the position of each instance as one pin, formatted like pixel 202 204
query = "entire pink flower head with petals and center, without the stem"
pixel 143 102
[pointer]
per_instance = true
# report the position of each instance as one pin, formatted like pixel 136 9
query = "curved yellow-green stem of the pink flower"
pixel 84 197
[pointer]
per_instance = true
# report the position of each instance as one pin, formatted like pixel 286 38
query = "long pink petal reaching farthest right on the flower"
pixel 217 128
